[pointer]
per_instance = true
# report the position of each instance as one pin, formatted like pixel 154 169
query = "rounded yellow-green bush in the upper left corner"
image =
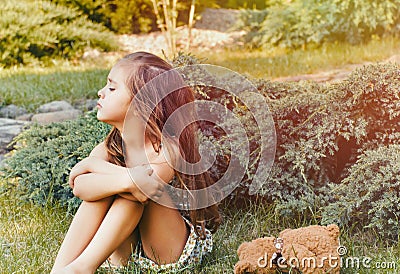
pixel 33 31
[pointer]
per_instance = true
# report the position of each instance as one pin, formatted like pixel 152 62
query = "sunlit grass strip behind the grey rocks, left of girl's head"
pixel 31 87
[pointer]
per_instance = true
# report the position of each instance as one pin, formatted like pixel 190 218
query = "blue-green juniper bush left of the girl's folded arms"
pixel 44 156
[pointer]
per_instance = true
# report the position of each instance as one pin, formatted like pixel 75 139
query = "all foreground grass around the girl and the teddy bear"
pixel 31 235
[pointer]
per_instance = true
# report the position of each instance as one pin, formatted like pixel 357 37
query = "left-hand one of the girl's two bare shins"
pixel 81 231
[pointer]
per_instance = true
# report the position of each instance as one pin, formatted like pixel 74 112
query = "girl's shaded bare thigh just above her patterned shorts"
pixel 163 233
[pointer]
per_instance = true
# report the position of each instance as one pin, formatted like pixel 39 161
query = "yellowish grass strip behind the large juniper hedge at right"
pixel 274 63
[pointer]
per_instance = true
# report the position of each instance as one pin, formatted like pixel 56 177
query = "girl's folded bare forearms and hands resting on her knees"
pixel 96 179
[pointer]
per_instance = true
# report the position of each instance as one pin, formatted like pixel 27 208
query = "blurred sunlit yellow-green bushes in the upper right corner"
pixel 299 23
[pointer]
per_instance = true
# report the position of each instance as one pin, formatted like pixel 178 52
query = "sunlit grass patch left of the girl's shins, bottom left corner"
pixel 29 235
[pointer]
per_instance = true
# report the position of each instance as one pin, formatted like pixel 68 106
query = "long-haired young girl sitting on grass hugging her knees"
pixel 119 218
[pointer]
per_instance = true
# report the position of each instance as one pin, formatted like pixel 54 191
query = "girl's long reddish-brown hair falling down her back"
pixel 143 67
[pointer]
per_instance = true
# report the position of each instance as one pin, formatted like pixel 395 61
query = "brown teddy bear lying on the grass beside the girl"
pixel 312 249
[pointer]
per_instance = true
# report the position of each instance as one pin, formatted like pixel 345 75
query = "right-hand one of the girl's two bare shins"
pixel 119 222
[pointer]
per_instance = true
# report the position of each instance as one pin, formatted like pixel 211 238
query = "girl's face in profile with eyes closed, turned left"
pixel 114 99
